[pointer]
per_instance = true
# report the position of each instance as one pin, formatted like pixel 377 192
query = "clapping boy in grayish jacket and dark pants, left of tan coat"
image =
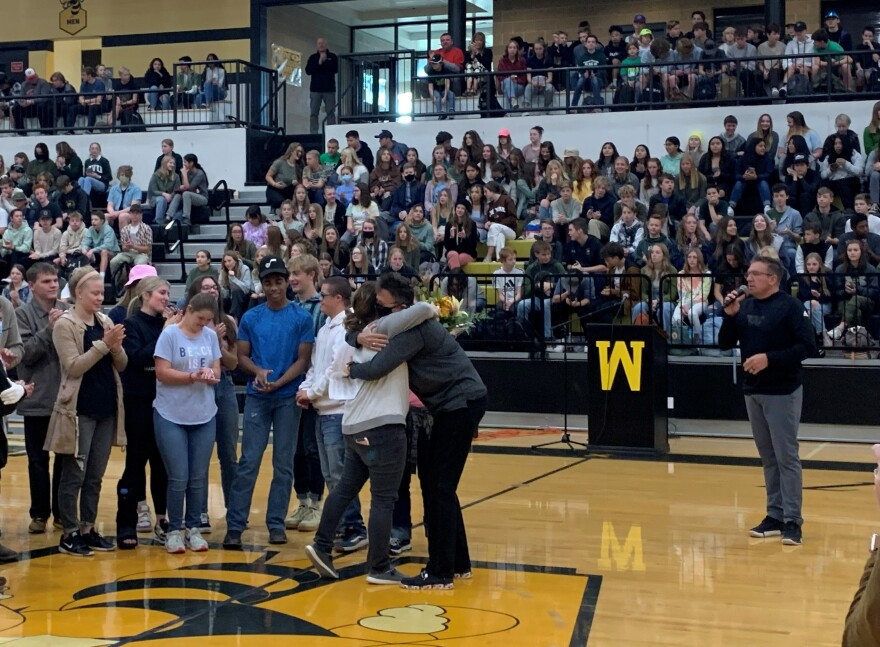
pixel 40 367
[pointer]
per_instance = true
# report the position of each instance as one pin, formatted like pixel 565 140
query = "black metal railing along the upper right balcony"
pixel 388 85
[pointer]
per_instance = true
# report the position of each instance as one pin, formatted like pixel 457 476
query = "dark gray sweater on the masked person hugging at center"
pixel 440 373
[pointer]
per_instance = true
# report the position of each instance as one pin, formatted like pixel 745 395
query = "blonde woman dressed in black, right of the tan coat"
pixel 147 317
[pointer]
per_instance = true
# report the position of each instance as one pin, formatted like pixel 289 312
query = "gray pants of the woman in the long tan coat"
pixel 81 475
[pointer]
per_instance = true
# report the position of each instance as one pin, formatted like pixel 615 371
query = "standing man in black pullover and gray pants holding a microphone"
pixel 774 338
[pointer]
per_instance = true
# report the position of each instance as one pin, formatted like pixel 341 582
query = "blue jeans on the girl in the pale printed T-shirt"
pixel 186 451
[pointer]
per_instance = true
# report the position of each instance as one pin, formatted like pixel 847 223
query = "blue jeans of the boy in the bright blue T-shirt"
pixel 262 414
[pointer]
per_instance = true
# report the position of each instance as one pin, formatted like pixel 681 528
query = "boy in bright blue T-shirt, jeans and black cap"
pixel 276 365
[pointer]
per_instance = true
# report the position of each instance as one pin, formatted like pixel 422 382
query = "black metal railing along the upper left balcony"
pixel 247 98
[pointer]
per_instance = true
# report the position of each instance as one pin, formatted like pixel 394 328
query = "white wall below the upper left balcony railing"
pixel 221 151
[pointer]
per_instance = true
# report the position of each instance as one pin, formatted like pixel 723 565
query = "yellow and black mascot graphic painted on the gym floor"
pixel 263 598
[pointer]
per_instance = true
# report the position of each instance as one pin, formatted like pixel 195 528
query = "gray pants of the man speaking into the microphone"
pixel 775 420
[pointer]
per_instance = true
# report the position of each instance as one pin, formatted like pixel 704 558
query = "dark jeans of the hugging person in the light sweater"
pixel 380 456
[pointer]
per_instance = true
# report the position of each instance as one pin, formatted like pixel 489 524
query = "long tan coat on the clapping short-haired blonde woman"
pixel 67 336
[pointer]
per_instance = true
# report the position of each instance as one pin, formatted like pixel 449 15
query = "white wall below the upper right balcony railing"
pixel 588 132
